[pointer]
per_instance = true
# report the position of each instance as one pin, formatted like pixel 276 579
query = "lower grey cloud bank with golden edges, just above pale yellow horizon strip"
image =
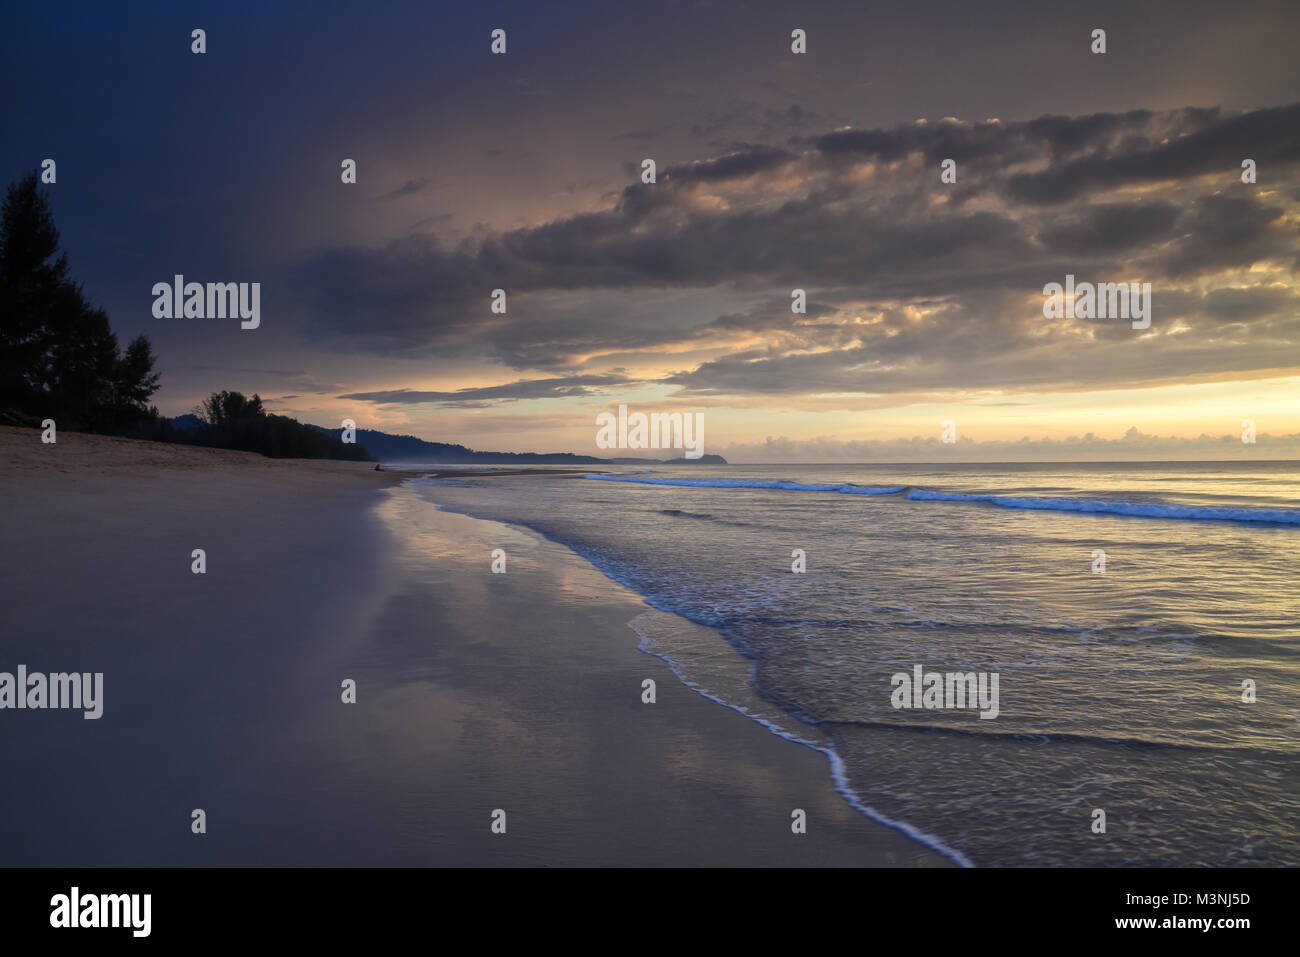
pixel 990 340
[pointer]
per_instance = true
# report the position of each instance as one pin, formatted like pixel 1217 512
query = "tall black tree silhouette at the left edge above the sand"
pixel 59 357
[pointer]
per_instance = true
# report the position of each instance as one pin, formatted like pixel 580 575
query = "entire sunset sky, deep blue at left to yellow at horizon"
pixel 774 171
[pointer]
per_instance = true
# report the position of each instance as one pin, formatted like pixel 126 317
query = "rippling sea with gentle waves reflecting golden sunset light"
pixel 1143 622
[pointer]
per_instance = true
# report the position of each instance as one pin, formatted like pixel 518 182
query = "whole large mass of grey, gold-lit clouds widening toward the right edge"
pixel 917 285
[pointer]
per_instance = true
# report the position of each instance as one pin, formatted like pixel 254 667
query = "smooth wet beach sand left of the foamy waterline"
pixel 475 692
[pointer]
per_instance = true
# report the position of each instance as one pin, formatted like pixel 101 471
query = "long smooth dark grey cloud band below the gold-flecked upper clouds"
pixel 651 239
